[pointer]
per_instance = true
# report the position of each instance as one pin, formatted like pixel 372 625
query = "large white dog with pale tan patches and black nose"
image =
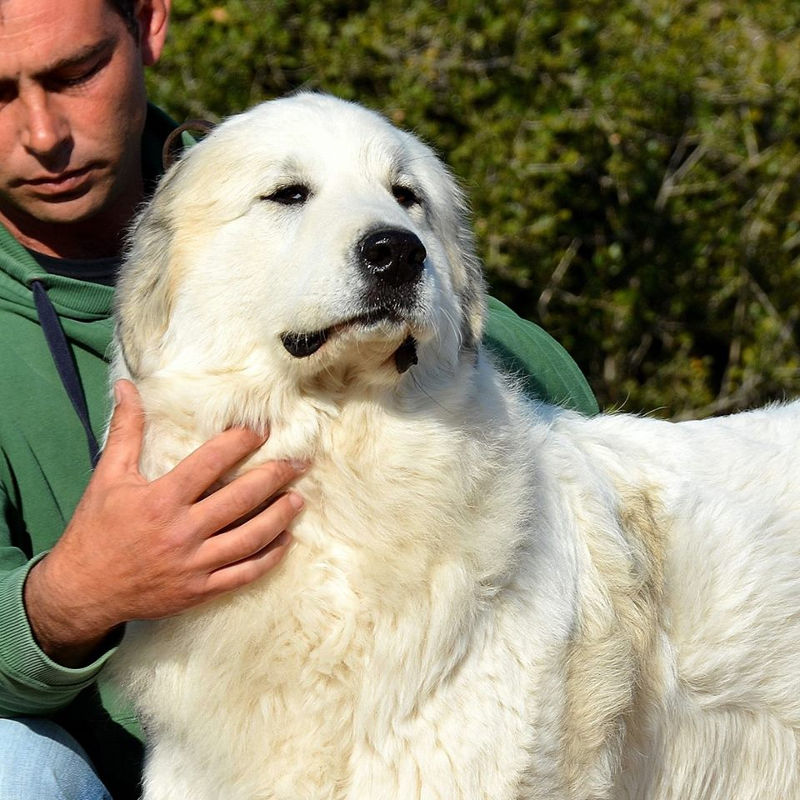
pixel 486 598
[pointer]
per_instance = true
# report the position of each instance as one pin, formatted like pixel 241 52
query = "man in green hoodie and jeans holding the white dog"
pixel 83 553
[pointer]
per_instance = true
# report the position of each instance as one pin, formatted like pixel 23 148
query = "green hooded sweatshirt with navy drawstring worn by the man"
pixel 44 468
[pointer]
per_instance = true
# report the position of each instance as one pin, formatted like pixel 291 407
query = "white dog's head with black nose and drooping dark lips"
pixel 302 237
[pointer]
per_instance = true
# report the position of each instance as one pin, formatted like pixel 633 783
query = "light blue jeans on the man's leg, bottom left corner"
pixel 40 761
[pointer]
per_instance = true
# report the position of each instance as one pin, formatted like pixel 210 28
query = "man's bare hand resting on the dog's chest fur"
pixel 142 550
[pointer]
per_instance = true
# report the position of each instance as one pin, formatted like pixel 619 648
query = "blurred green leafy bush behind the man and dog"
pixel 633 166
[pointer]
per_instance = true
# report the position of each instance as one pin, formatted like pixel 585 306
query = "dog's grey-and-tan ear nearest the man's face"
pixel 144 293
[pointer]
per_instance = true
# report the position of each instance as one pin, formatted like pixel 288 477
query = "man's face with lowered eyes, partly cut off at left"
pixel 72 110
